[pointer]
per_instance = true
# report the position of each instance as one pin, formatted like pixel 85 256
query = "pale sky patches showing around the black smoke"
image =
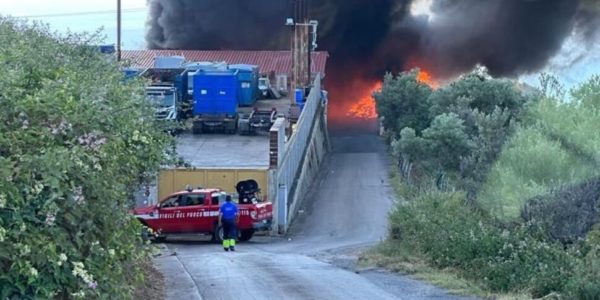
pixel 574 63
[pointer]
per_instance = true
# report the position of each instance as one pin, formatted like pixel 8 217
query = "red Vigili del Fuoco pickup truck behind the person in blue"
pixel 196 211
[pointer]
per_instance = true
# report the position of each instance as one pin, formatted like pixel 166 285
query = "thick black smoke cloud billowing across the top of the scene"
pixel 509 37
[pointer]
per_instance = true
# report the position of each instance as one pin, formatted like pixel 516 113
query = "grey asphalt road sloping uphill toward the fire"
pixel 346 213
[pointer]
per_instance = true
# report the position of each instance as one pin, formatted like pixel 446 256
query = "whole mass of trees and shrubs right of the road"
pixel 498 185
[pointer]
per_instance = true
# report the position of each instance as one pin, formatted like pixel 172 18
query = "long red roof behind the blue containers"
pixel 279 62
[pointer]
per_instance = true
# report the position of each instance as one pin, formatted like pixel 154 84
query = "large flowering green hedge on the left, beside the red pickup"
pixel 75 142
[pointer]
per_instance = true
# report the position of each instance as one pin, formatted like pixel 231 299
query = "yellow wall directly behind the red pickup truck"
pixel 174 180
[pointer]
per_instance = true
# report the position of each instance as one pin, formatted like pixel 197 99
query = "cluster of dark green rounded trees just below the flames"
pixel 465 127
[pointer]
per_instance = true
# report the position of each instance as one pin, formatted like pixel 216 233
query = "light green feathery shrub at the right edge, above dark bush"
pixel 557 145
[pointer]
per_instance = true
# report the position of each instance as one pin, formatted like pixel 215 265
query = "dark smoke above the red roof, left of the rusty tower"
pixel 216 24
